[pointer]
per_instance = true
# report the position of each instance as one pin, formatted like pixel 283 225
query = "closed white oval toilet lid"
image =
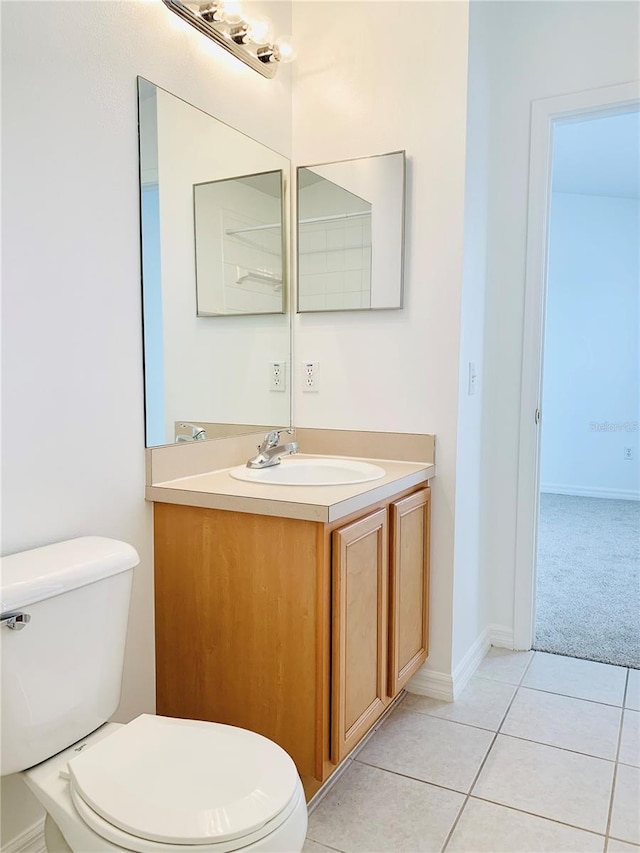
pixel 184 781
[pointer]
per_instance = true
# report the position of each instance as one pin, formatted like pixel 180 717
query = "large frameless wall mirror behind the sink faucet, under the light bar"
pixel 214 247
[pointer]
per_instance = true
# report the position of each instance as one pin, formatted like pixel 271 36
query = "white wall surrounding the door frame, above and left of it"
pixel 536 50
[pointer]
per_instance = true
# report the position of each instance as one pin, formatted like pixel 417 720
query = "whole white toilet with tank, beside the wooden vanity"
pixel 155 784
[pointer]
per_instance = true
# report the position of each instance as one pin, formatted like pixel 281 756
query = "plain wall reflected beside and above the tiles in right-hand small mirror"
pixel 379 180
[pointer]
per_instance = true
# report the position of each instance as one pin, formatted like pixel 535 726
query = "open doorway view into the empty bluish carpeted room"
pixel 588 537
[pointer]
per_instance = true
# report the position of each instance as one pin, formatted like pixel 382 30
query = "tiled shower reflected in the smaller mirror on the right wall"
pixel 334 254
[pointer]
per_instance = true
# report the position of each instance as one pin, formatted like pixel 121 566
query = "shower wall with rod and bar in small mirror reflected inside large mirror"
pixel 226 255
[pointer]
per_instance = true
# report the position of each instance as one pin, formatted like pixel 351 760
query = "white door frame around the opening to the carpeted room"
pixel 545 114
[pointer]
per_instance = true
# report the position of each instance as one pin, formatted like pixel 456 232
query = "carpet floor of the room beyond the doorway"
pixel 588 579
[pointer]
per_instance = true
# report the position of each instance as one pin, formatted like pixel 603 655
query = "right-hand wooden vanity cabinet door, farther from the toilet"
pixel 408 588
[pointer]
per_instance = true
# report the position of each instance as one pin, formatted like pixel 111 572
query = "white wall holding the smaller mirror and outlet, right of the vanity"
pixel 369 81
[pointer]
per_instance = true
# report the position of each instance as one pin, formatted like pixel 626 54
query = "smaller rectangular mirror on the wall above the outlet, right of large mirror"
pixel 351 234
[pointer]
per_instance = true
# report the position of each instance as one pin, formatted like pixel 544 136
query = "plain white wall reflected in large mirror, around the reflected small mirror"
pixel 215 370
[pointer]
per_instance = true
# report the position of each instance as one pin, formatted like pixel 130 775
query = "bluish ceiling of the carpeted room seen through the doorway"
pixel 598 156
